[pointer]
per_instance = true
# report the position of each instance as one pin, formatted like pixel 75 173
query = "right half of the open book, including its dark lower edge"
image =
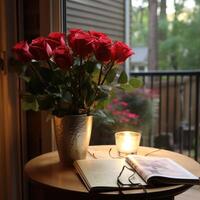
pixel 159 170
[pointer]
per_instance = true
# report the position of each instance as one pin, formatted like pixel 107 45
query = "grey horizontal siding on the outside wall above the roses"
pixel 106 16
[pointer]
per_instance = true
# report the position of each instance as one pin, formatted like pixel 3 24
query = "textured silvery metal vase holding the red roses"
pixel 72 137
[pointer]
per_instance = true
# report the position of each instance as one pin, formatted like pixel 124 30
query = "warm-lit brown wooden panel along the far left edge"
pixel 10 148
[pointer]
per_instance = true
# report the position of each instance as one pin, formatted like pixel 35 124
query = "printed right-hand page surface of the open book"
pixel 151 166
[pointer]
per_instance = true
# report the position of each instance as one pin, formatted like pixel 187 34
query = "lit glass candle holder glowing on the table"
pixel 127 142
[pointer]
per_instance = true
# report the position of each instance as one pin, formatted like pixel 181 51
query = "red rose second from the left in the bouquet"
pixel 40 49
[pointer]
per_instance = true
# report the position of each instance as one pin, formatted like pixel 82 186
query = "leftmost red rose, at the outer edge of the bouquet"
pixel 21 51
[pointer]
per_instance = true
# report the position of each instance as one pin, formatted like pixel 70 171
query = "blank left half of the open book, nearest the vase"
pixel 101 175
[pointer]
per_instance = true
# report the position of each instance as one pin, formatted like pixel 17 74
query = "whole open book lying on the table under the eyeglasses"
pixel 101 175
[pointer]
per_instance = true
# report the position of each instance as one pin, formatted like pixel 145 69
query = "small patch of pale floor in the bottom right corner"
pixel 191 194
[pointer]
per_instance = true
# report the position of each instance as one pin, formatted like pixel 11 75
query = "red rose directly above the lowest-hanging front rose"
pixel 55 39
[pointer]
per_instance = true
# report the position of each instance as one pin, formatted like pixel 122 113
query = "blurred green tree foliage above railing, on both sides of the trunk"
pixel 179 47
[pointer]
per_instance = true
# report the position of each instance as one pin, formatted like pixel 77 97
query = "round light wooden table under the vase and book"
pixel 60 182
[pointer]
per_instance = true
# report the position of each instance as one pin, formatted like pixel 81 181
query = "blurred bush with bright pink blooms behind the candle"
pixel 120 109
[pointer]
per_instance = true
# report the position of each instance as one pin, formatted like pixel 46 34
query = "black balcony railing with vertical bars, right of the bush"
pixel 176 107
